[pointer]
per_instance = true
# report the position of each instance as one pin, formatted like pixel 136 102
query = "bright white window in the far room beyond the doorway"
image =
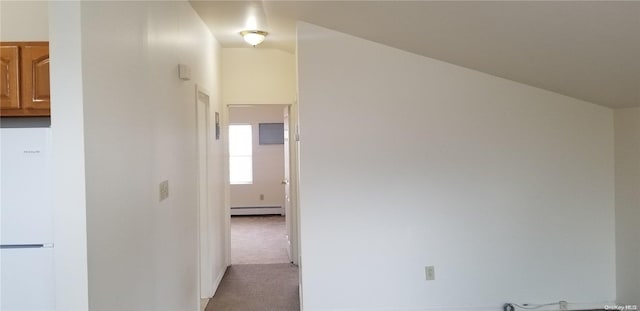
pixel 240 154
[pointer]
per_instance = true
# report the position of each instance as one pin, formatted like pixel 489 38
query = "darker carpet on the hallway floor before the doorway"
pixel 265 287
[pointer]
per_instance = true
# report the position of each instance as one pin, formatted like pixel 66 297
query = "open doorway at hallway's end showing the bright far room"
pixel 259 200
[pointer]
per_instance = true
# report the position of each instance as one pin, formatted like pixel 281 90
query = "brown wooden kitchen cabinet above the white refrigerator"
pixel 25 79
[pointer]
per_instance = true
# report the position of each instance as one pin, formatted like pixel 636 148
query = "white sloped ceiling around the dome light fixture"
pixel 584 49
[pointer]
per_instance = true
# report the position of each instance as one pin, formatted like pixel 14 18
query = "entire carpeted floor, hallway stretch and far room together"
pixel 260 277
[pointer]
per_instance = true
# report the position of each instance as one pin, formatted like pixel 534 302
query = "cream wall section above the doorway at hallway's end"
pixel 258 76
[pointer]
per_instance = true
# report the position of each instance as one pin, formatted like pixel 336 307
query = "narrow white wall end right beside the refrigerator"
pixel 67 127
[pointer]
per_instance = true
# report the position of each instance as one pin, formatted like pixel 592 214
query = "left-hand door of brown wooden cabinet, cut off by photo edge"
pixel 9 78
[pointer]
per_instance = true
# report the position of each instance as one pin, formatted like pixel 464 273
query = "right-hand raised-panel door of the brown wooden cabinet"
pixel 35 77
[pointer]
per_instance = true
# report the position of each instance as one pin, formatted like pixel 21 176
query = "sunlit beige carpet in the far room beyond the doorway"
pixel 258 240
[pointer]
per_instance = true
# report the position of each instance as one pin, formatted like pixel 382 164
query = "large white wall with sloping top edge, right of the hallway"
pixel 407 161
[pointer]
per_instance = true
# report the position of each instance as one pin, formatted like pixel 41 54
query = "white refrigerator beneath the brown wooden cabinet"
pixel 26 220
